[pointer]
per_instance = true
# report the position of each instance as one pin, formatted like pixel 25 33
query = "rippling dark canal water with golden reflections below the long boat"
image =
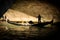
pixel 10 31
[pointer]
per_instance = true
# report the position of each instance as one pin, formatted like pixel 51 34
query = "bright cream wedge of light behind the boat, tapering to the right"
pixel 14 15
